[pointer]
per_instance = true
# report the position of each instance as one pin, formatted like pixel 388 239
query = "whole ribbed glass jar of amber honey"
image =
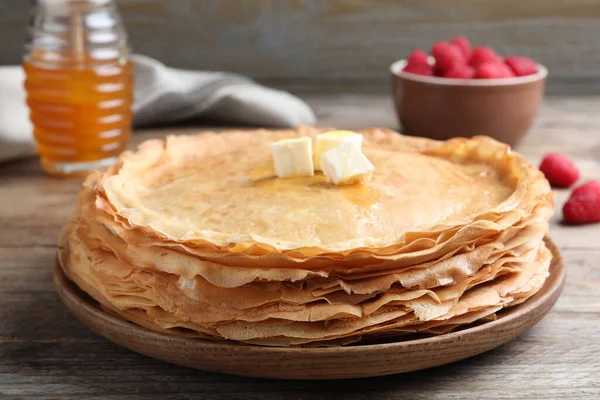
pixel 79 84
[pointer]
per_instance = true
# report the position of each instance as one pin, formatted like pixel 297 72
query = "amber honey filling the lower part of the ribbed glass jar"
pixel 79 115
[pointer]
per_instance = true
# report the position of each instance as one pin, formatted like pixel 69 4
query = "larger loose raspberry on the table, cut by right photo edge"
pixel 584 204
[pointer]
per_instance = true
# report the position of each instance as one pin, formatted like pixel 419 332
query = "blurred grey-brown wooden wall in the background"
pixel 341 40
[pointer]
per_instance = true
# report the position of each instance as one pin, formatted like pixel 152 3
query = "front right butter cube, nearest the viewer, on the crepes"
pixel 346 164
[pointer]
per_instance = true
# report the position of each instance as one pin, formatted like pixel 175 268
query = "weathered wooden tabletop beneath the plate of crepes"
pixel 46 353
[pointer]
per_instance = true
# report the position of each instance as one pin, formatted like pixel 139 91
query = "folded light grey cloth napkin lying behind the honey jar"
pixel 164 95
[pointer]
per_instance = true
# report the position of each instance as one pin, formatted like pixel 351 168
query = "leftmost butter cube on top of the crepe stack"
pixel 293 157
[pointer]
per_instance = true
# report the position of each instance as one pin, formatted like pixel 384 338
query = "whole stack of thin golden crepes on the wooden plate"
pixel 196 236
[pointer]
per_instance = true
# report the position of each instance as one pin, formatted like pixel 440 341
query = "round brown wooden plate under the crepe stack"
pixel 318 363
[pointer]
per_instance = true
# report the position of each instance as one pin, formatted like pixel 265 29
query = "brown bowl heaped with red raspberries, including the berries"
pixel 462 91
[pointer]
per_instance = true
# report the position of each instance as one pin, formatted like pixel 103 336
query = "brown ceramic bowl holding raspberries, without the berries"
pixel 442 108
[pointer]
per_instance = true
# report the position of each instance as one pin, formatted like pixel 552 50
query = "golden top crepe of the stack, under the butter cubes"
pixel 220 190
